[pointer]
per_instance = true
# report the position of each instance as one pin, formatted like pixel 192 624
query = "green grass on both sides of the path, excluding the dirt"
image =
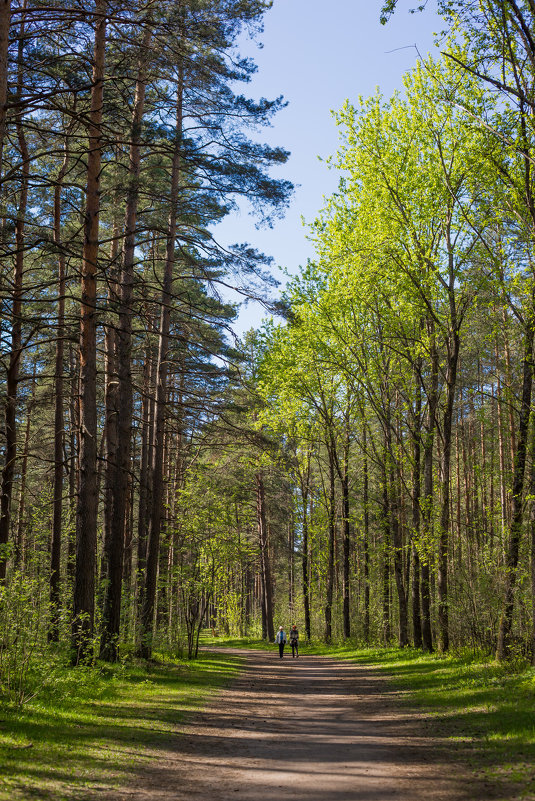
pixel 90 729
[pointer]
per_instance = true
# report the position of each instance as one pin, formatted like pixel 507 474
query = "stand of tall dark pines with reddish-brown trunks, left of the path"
pixel 122 144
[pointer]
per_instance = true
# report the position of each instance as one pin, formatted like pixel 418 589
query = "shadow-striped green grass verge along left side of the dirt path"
pixel 91 728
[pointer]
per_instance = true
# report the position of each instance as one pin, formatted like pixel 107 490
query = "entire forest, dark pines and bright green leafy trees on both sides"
pixel 363 462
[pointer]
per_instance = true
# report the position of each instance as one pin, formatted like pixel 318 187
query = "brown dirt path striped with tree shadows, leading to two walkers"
pixel 309 729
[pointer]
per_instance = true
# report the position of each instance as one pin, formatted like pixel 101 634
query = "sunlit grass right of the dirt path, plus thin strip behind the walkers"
pixel 483 711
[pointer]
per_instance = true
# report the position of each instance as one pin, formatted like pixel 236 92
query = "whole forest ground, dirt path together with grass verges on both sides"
pixel 342 725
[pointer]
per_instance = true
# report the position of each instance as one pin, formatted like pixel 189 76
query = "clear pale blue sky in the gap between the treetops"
pixel 317 54
